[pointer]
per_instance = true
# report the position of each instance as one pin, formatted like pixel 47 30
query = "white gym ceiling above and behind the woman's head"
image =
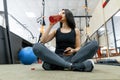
pixel 20 8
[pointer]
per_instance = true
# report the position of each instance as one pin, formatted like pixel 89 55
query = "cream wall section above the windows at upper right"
pixel 98 18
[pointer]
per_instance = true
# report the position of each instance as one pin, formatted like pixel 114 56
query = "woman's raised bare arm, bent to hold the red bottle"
pixel 47 36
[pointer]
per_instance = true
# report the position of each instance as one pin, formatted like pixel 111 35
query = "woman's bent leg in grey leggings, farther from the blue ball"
pixel 86 52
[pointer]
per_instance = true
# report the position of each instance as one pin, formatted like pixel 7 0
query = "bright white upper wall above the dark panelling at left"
pixel 15 27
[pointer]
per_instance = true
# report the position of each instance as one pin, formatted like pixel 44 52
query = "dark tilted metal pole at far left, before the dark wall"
pixel 7 29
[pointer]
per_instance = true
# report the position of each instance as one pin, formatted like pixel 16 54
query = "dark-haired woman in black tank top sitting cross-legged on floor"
pixel 68 53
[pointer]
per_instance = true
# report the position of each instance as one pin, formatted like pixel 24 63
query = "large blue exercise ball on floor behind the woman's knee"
pixel 27 56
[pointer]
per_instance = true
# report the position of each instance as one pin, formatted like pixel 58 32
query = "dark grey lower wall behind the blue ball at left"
pixel 16 44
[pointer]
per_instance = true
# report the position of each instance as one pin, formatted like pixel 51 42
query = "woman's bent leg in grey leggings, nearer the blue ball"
pixel 48 56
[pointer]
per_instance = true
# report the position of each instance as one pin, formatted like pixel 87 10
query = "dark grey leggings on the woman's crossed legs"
pixel 54 61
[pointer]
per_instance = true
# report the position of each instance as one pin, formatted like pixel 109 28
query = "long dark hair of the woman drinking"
pixel 69 18
